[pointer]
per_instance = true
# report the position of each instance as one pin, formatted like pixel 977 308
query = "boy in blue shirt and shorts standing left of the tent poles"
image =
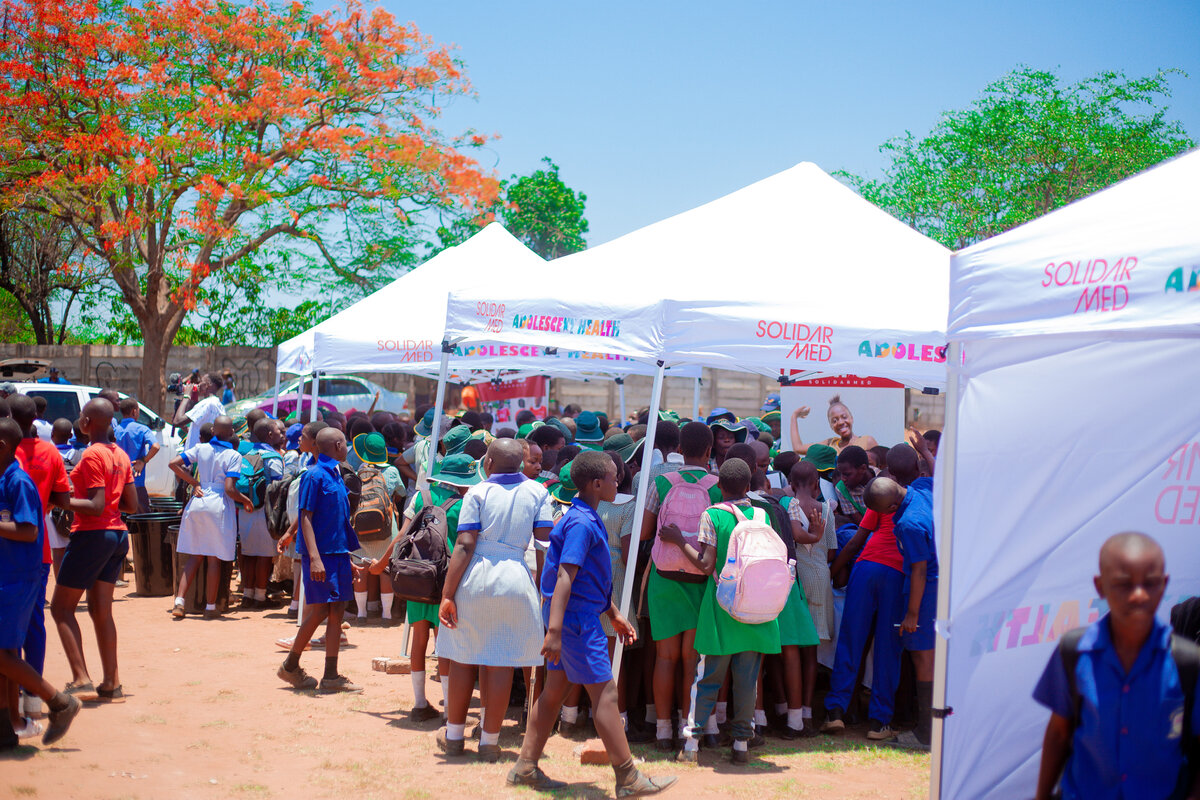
pixel 325 546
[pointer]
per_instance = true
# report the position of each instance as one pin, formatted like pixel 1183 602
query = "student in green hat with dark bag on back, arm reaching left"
pixel 448 485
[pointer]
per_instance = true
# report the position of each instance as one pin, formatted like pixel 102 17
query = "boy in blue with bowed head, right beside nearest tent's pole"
pixel 913 512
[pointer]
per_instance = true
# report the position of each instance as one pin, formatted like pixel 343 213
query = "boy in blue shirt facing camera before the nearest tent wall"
pixel 1120 735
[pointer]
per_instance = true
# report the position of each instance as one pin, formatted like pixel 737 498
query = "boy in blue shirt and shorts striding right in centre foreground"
pixel 577 588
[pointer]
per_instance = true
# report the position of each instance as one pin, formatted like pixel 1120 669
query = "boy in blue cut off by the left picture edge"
pixel 22 528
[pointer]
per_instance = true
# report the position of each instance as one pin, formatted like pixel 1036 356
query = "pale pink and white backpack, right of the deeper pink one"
pixel 757 579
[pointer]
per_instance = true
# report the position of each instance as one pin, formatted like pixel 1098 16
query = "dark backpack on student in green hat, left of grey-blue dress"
pixel 421 560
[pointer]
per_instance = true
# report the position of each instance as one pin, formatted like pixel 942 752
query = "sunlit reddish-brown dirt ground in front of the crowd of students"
pixel 208 719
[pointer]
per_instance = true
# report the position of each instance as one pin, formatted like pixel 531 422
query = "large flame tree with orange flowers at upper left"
pixel 177 137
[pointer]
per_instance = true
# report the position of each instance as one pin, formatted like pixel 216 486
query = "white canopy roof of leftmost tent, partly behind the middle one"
pixel 401 327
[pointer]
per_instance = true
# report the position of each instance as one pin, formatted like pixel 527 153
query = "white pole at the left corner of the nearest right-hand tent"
pixel 945 471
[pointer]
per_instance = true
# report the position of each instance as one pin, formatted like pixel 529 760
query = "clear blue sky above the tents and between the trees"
pixel 652 109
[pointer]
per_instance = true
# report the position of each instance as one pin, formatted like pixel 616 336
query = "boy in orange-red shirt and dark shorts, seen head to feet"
pixel 103 490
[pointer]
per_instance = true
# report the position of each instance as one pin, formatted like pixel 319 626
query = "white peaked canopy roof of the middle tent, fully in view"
pixel 795 273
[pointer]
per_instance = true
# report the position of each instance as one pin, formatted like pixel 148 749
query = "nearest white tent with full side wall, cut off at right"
pixel 1072 417
